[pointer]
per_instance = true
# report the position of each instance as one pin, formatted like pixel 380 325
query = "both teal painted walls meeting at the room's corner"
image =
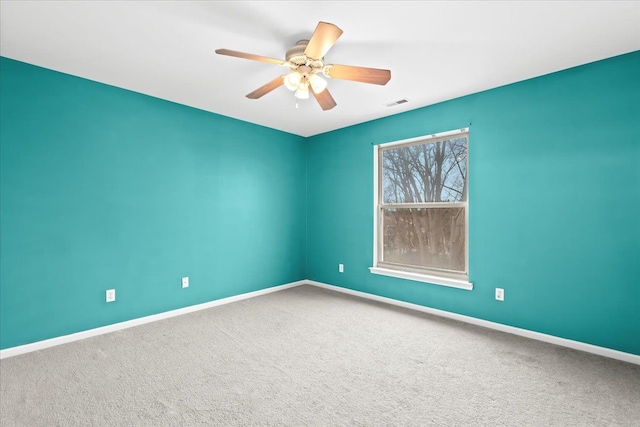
pixel 105 188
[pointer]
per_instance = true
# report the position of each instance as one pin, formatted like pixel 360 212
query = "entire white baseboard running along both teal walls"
pixel 576 345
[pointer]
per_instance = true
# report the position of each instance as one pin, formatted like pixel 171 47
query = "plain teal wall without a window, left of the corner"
pixel 105 188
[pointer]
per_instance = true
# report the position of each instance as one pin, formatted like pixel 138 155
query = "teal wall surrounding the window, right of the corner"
pixel 554 199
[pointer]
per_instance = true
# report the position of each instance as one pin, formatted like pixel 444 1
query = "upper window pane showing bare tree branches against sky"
pixel 430 172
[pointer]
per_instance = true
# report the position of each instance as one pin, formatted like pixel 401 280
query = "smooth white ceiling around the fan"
pixel 435 50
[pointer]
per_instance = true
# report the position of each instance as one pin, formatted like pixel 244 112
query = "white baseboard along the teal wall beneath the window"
pixel 576 345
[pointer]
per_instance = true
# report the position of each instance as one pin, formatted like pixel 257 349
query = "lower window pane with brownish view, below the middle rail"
pixel 432 238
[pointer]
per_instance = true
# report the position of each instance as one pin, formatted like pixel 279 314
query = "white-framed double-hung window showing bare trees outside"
pixel 421 209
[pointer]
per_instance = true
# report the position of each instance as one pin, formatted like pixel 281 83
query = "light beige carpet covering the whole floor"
pixel 311 357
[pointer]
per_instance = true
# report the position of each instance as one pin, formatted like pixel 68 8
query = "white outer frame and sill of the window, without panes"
pixel 460 281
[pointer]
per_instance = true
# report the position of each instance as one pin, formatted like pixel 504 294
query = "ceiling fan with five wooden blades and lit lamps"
pixel 305 62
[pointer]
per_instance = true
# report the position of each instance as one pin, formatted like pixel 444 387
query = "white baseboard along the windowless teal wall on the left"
pixel 39 345
